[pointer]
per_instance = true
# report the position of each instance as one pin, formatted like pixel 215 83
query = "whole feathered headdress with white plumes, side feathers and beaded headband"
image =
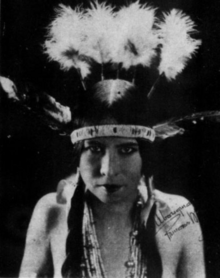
pixel 120 40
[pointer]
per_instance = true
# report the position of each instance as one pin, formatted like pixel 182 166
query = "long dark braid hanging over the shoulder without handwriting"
pixel 74 244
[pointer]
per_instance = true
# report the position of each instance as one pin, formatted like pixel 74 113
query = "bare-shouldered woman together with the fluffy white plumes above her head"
pixel 108 220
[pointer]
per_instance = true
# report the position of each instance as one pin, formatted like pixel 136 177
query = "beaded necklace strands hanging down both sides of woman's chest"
pixel 92 264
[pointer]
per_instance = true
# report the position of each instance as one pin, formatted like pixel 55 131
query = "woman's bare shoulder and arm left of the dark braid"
pixel 47 233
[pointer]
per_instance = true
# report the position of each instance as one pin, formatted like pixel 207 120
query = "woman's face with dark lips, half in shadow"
pixel 111 168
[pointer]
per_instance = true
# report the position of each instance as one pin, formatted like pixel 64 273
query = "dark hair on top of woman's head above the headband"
pixel 109 102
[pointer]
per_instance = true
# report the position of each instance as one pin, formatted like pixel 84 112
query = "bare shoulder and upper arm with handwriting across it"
pixel 178 235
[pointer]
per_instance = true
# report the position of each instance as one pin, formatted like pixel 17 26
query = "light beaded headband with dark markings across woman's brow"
pixel 127 131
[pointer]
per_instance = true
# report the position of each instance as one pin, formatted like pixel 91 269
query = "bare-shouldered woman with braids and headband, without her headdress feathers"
pixel 100 233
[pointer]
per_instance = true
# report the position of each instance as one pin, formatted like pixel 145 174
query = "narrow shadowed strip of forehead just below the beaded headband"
pixel 111 141
